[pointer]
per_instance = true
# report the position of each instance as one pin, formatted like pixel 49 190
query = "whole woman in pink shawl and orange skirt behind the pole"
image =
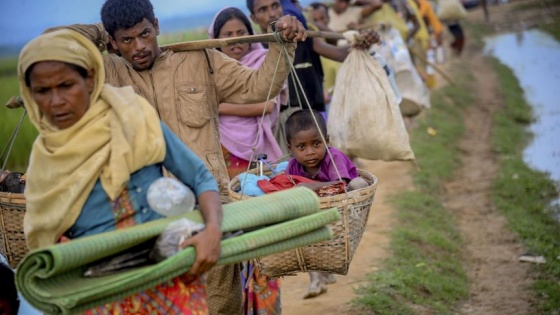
pixel 245 132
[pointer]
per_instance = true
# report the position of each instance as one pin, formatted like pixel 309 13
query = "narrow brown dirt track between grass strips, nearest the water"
pixel 499 281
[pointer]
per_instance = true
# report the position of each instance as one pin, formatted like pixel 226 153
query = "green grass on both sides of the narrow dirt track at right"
pixel 425 272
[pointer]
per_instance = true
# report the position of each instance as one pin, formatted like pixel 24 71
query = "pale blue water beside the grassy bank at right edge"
pixel 534 57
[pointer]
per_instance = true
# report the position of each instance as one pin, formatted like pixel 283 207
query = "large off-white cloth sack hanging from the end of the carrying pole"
pixel 364 117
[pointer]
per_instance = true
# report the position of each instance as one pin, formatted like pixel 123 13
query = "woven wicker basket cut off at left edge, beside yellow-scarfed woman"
pixel 12 239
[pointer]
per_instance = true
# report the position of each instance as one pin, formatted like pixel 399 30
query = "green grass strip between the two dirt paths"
pixel 425 272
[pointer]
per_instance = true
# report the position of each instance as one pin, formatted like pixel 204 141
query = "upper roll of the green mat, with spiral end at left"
pixel 254 212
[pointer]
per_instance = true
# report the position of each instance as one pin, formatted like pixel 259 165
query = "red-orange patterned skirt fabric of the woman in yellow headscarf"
pixel 181 295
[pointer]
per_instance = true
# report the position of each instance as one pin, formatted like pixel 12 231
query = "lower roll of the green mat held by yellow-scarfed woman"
pixel 75 289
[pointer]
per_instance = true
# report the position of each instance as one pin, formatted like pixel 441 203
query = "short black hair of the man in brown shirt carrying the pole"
pixel 124 14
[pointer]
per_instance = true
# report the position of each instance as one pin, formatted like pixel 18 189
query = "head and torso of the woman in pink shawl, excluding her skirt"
pixel 244 132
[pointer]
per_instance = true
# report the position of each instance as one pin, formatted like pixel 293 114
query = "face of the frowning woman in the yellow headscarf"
pixel 61 92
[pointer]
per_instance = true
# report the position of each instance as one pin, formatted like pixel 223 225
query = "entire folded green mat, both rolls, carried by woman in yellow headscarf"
pixel 52 279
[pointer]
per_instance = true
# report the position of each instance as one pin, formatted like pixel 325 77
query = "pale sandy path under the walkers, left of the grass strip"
pixel 393 177
